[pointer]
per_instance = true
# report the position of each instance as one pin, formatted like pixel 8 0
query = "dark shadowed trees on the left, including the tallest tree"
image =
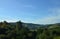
pixel 8 31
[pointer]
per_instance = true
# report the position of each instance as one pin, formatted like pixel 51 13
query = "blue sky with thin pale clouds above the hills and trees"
pixel 30 11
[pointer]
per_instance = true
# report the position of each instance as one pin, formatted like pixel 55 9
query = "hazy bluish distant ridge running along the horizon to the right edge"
pixel 35 26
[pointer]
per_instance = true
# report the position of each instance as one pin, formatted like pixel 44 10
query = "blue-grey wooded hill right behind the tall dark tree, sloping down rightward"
pixel 30 25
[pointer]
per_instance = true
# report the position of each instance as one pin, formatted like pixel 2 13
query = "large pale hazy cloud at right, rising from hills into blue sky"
pixel 54 17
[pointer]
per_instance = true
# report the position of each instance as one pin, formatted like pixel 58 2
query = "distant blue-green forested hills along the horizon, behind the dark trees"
pixel 36 26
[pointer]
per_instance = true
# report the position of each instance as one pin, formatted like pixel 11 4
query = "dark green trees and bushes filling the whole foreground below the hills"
pixel 18 31
